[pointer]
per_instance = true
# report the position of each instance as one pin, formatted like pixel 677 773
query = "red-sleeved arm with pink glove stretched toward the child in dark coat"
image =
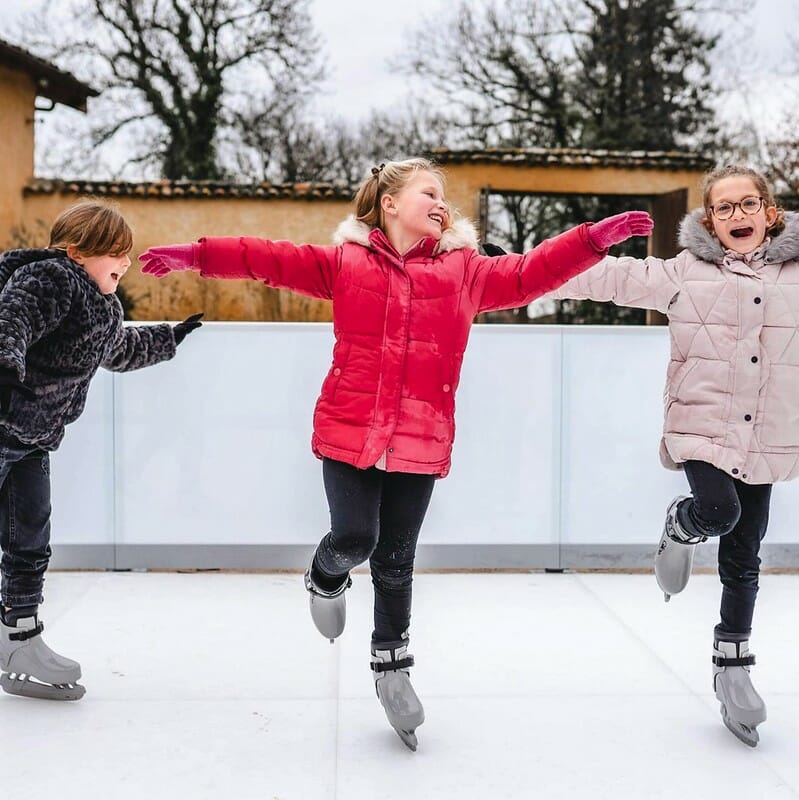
pixel 309 269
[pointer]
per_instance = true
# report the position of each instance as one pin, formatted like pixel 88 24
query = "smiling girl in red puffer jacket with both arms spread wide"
pixel 406 281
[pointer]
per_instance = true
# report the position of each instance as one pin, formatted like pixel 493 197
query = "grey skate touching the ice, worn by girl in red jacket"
pixel 393 686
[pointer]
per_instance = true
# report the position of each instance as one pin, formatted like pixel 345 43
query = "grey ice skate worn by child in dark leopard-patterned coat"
pixel 31 669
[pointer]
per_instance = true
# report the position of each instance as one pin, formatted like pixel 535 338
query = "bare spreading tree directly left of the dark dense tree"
pixel 502 69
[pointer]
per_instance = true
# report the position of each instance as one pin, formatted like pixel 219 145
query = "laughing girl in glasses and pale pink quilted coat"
pixel 731 400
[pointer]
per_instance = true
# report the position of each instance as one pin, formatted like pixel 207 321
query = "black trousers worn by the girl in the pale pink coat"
pixel 738 513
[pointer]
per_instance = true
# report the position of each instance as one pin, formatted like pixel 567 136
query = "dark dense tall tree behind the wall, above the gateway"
pixel 643 76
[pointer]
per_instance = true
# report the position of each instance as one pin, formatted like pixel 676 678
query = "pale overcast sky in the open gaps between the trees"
pixel 361 35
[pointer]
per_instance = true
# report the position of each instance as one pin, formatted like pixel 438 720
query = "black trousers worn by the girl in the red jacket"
pixel 375 515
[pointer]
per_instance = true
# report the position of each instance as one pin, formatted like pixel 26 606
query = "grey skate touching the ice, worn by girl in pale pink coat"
pixel 742 708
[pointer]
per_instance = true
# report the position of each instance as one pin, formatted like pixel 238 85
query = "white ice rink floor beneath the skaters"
pixel 535 685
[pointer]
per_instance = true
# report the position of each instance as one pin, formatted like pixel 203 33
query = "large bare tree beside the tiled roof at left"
pixel 181 64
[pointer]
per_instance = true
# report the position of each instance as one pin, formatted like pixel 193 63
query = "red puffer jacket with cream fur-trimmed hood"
pixel 401 324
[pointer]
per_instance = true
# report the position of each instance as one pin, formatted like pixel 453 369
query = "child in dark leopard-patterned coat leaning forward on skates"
pixel 59 322
